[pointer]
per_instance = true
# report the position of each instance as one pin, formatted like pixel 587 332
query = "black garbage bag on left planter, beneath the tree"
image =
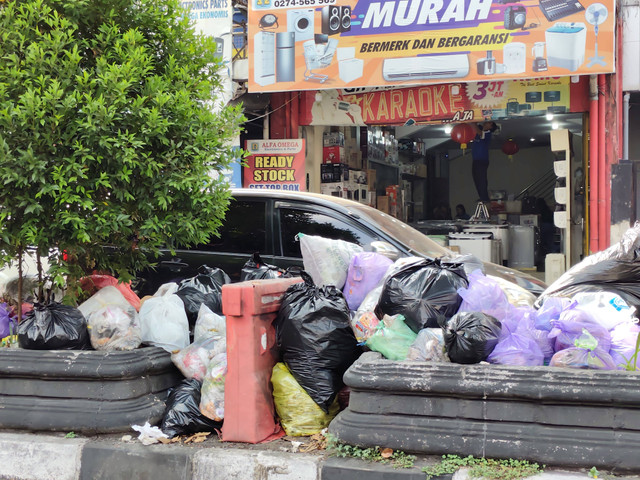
pixel 54 326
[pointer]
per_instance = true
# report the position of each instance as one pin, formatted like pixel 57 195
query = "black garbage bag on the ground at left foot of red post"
pixel 182 415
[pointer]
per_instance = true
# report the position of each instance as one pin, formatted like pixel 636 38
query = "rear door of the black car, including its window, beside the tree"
pixel 244 231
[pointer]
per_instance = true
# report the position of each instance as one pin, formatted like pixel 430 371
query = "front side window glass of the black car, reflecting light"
pixel 294 221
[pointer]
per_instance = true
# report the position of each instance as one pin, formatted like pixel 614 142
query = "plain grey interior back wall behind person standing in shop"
pixel 513 175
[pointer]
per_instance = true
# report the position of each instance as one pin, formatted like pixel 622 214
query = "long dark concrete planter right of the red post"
pixel 554 416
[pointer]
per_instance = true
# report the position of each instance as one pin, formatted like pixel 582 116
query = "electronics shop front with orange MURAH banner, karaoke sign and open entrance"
pixel 380 117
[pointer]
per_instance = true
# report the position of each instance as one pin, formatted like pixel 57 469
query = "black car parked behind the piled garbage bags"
pixel 268 221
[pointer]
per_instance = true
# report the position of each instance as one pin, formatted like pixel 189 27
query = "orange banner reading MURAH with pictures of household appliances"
pixel 335 44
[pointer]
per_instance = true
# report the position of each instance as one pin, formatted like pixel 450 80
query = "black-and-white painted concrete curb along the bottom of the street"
pixel 25 456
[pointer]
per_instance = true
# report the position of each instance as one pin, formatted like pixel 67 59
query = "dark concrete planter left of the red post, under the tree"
pixel 83 391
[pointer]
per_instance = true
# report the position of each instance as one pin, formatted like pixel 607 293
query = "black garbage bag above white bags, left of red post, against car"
pixel 206 287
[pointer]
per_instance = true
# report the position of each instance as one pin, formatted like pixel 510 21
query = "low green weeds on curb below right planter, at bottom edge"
pixel 484 468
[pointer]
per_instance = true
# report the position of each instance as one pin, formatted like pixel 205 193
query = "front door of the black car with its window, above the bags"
pixel 292 218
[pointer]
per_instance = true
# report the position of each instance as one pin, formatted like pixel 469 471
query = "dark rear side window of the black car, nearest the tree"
pixel 243 229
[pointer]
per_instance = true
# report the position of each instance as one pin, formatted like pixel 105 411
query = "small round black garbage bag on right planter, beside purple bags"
pixel 470 337
